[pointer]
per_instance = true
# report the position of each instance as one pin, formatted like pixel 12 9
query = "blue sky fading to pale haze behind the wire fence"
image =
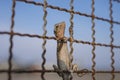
pixel 29 19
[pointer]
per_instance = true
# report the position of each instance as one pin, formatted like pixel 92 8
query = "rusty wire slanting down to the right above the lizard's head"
pixel 68 11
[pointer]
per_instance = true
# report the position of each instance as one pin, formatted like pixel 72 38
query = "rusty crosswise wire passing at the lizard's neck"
pixel 54 38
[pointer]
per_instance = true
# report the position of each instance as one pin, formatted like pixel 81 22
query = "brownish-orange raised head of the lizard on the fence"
pixel 59 30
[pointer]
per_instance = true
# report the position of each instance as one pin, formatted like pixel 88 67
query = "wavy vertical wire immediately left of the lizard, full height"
pixel 44 40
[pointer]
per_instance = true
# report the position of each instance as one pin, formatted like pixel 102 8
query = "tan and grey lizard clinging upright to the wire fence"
pixel 63 56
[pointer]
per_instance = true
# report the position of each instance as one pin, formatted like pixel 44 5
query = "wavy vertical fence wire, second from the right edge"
pixel 93 40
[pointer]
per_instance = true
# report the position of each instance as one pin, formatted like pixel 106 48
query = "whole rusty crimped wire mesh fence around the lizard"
pixel 70 39
